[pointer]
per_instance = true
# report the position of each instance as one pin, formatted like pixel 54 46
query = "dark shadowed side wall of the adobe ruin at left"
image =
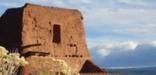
pixel 11 28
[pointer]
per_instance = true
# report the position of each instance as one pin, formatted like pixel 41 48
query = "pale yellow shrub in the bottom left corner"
pixel 10 62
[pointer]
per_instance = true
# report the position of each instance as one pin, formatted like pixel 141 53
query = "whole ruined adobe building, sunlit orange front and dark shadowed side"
pixel 46 31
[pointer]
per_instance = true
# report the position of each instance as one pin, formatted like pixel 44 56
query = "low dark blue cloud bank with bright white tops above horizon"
pixel 124 53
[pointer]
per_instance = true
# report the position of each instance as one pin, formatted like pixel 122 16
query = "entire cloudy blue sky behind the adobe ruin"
pixel 120 33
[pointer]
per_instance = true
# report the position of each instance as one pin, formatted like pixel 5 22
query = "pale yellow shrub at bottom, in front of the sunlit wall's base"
pixel 58 67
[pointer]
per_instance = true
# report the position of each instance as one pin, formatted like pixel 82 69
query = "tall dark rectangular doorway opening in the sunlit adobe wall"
pixel 56 33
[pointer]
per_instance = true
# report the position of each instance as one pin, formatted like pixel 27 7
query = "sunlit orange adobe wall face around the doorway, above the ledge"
pixel 55 30
